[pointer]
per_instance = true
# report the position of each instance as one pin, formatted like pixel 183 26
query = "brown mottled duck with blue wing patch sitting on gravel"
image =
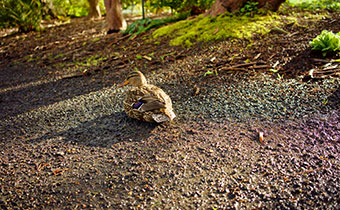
pixel 146 102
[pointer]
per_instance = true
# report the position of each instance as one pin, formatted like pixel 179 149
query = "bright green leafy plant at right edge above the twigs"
pixel 326 42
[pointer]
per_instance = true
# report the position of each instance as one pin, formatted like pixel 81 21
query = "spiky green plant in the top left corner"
pixel 24 14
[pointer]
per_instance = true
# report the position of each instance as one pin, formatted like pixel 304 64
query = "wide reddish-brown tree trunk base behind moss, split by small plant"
pixel 222 6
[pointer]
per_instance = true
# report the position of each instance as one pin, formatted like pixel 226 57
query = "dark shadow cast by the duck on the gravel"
pixel 104 131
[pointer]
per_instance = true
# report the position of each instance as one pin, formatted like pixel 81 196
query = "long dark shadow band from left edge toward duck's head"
pixel 28 97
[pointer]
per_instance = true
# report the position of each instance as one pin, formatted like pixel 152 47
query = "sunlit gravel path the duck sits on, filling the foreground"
pixel 84 152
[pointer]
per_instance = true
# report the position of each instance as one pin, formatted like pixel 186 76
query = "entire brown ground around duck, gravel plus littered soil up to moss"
pixel 66 142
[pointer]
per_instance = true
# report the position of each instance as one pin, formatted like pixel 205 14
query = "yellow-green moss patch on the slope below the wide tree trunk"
pixel 213 28
